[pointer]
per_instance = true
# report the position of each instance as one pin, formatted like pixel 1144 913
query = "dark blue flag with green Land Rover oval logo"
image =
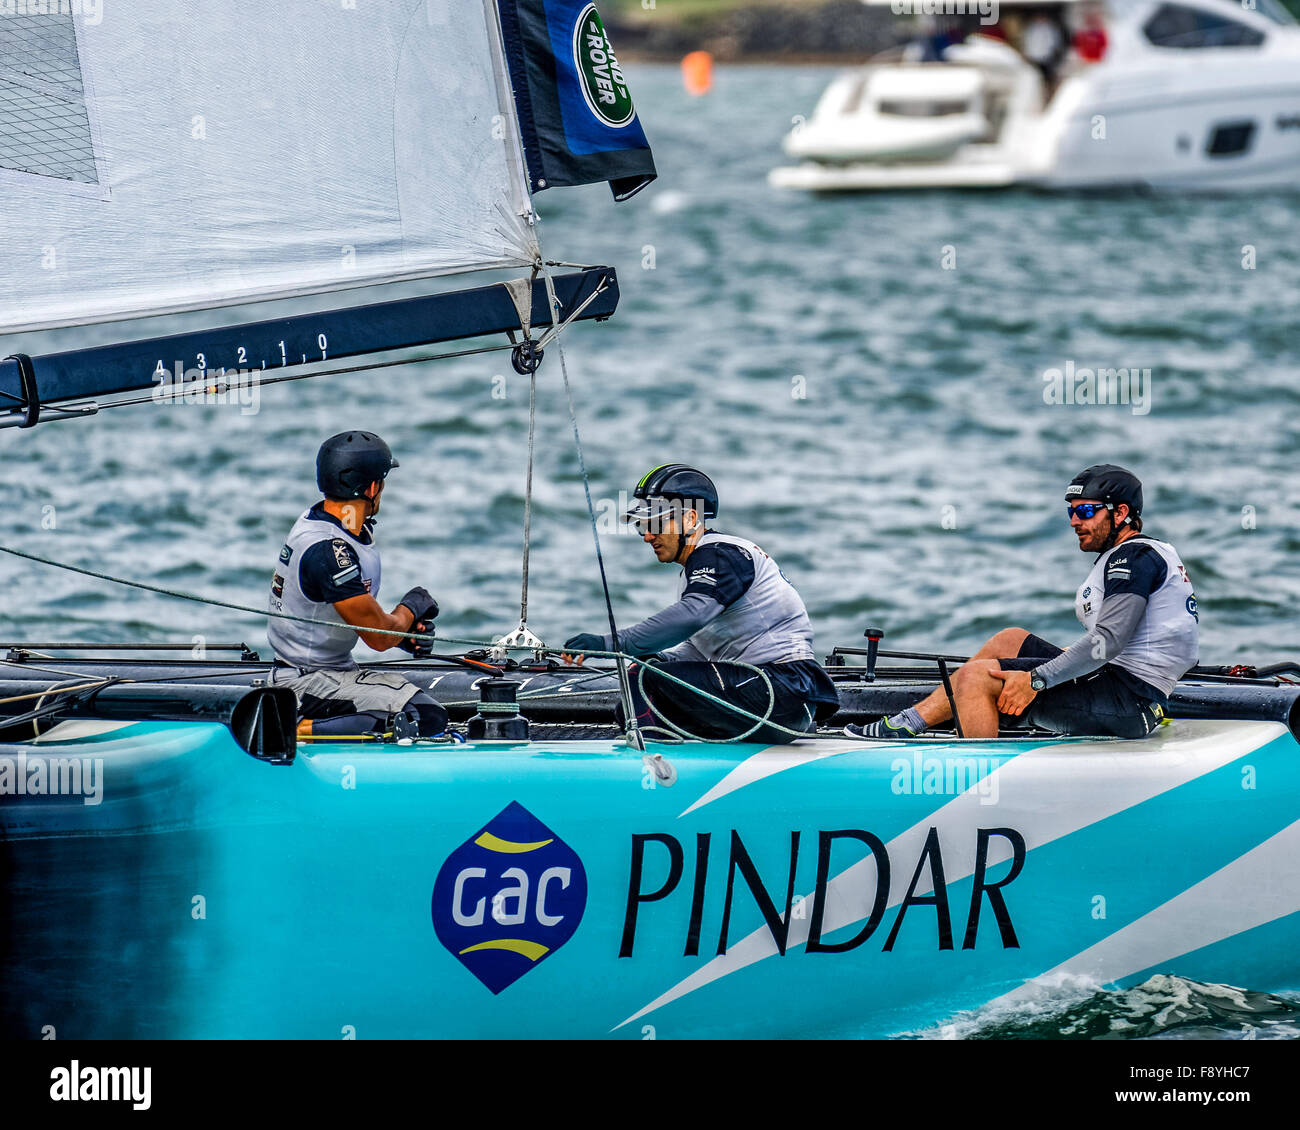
pixel 575 111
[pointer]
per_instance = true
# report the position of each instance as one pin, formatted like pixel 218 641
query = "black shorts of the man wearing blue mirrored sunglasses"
pixel 1110 702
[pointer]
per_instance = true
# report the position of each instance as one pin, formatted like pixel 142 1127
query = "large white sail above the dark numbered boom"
pixel 166 155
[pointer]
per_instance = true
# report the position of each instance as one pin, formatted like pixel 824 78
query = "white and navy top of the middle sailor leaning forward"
pixel 735 604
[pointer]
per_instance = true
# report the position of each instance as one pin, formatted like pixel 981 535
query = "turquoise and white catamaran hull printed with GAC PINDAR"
pixel 556 890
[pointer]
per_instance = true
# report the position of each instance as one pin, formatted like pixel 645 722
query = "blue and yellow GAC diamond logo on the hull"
pixel 509 898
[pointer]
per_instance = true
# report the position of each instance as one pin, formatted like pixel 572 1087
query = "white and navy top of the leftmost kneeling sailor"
pixel 322 564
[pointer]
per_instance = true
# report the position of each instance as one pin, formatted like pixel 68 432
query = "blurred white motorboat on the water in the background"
pixel 1194 96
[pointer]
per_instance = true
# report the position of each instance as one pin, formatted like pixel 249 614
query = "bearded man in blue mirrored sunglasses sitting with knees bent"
pixel 1139 616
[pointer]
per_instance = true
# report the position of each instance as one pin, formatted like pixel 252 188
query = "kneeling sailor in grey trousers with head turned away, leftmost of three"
pixel 330 574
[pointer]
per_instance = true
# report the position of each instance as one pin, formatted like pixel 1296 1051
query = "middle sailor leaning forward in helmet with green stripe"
pixel 735 607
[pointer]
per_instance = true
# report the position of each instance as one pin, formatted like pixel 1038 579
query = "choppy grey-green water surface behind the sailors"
pixel 873 419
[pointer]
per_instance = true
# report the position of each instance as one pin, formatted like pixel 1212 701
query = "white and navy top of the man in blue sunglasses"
pixel 1139 614
